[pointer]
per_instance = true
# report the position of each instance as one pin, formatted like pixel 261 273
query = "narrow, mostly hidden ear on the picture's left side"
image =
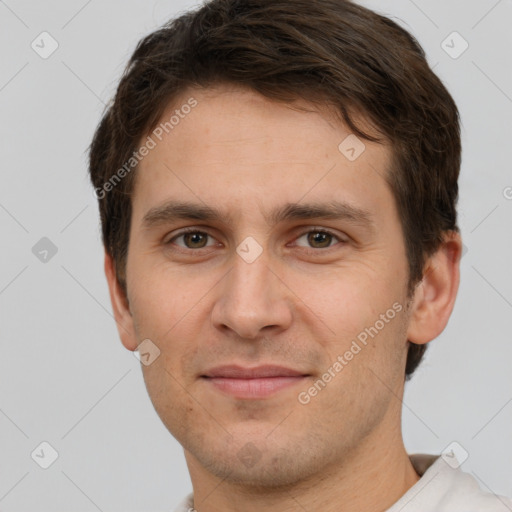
pixel 120 306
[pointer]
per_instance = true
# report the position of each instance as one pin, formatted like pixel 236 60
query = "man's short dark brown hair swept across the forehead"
pixel 330 52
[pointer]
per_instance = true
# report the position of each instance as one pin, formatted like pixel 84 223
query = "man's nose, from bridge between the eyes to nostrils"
pixel 252 300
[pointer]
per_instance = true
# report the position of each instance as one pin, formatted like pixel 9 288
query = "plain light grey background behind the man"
pixel 66 379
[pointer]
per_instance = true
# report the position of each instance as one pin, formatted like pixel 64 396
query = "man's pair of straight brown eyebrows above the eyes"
pixel 335 210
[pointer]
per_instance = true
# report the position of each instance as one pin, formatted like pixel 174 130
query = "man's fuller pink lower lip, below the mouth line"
pixel 253 388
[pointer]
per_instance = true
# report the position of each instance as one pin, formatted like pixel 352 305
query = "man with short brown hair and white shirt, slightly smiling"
pixel 277 183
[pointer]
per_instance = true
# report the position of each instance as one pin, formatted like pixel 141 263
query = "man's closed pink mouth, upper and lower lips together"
pixel 252 383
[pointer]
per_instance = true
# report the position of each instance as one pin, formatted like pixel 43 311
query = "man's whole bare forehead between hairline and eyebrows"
pixel 236 145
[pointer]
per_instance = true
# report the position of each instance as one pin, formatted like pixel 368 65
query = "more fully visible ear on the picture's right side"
pixel 434 296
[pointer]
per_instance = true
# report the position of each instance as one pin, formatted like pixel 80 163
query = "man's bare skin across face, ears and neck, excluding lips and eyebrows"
pixel 299 304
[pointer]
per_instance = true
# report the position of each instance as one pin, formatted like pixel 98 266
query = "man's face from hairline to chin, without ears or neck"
pixel 257 245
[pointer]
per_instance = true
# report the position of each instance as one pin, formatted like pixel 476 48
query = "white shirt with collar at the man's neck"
pixel 443 487
